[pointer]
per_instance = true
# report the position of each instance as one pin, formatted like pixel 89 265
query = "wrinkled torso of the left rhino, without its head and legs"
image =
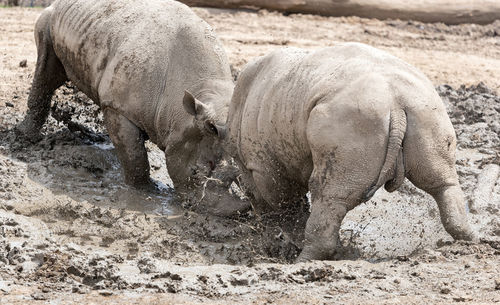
pixel 136 56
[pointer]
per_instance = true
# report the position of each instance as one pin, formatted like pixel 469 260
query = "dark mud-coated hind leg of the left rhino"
pixel 49 75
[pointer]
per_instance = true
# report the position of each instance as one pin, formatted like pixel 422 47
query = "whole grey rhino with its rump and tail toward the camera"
pixel 341 122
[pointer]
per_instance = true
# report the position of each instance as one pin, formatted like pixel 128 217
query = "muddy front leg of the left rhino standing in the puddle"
pixel 128 140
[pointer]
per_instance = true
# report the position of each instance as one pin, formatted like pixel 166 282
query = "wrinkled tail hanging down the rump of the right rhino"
pixel 392 173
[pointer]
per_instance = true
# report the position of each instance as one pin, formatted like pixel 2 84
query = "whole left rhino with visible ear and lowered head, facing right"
pixel 141 61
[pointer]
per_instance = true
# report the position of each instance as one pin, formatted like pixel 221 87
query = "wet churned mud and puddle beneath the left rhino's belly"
pixel 76 158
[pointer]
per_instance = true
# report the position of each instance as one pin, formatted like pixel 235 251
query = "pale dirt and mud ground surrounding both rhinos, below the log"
pixel 71 231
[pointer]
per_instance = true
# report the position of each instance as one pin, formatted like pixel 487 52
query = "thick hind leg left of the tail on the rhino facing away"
pixel 347 159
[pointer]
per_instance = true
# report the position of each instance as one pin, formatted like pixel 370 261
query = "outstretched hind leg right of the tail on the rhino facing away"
pixel 429 155
